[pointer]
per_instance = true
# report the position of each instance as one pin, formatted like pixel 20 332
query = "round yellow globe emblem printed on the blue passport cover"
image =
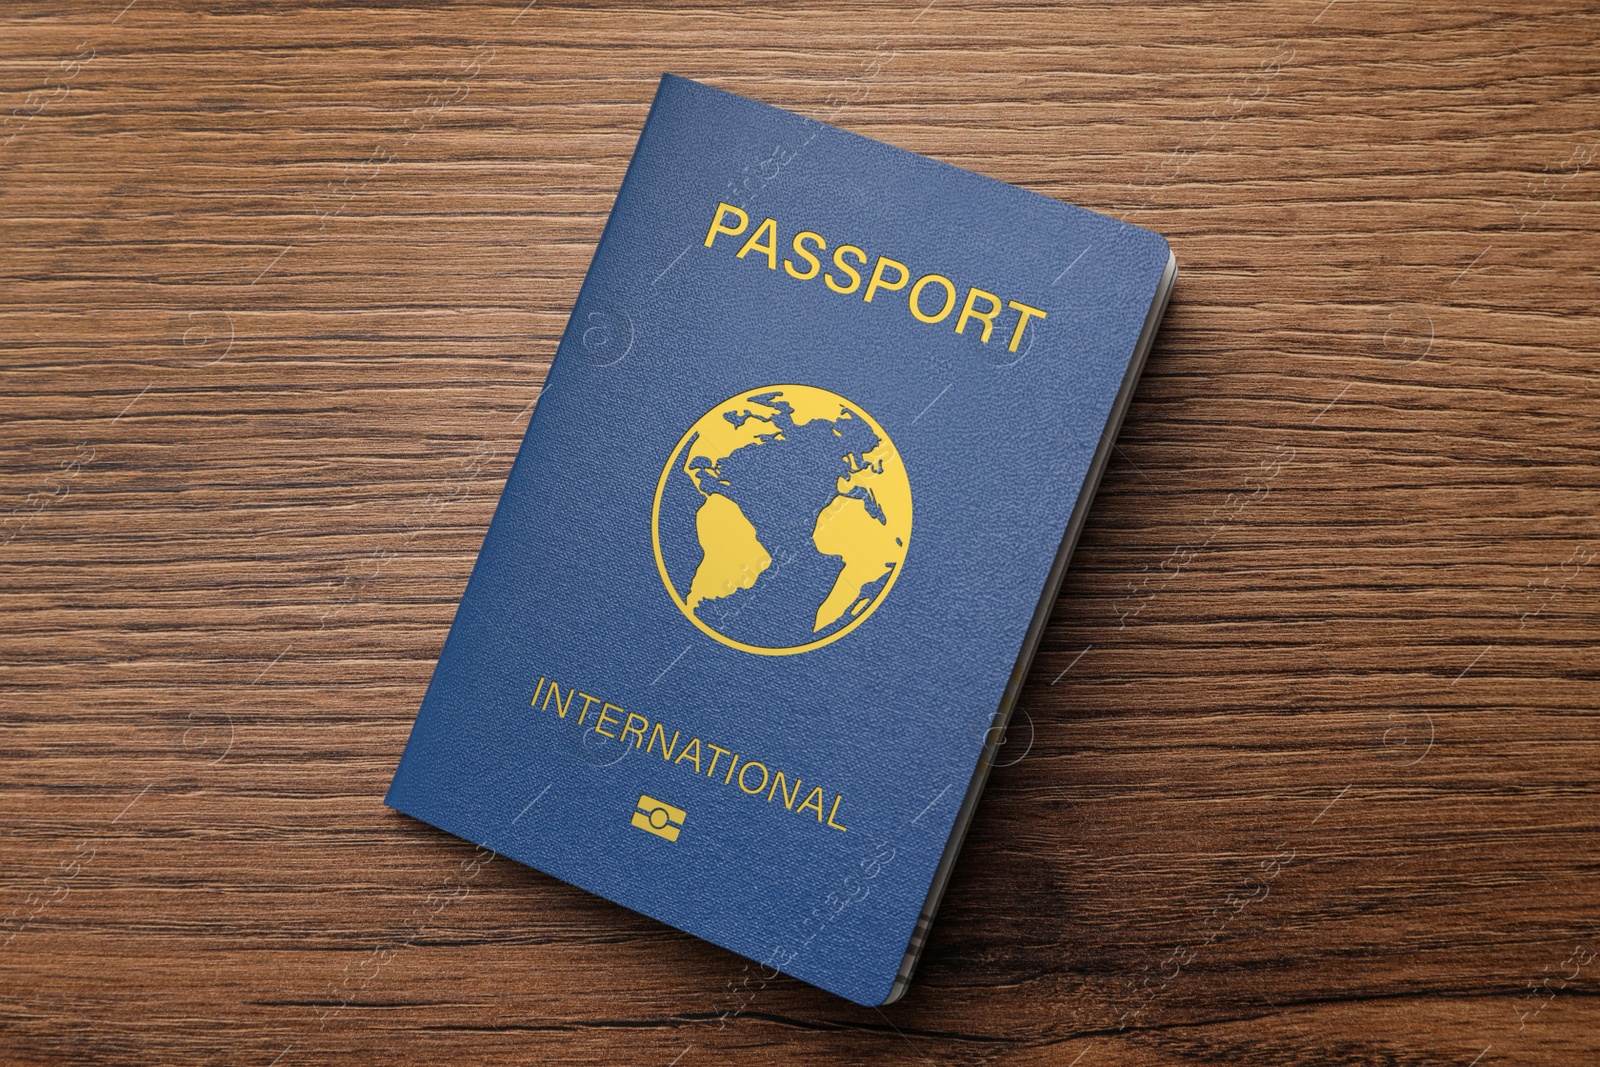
pixel 782 519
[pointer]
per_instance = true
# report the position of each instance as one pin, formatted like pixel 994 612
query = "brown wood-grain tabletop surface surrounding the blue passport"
pixel 1306 769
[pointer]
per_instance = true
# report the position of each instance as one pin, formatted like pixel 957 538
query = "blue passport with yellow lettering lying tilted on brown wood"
pixel 774 548
